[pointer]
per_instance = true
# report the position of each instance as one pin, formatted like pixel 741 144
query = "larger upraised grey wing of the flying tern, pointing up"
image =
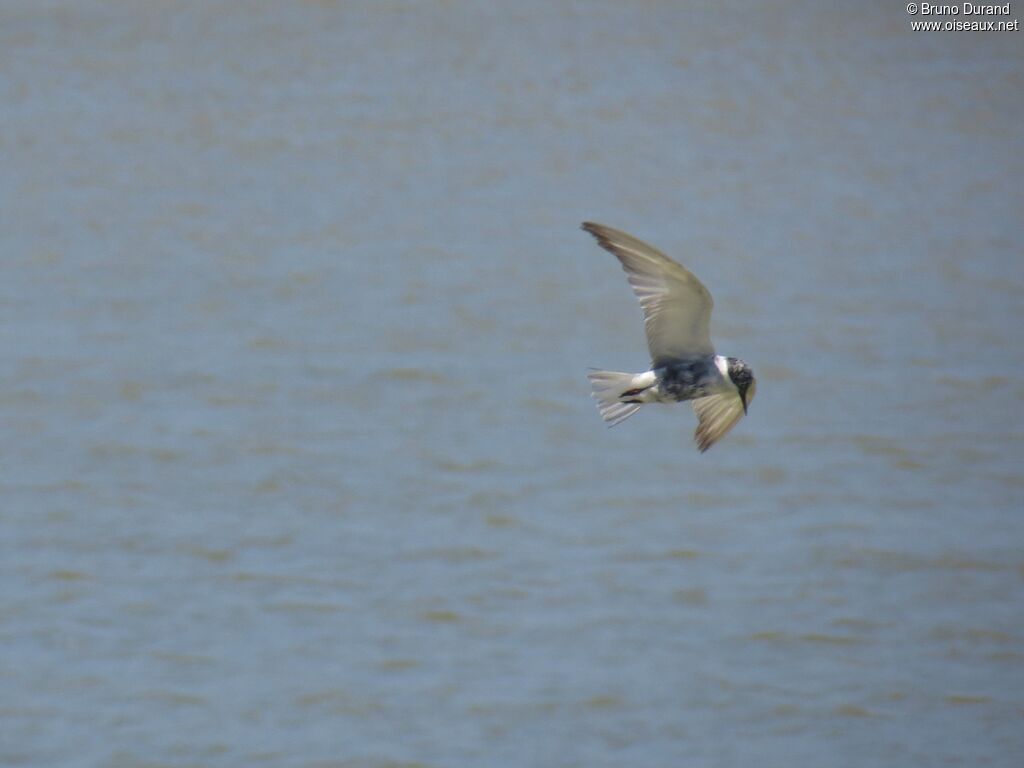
pixel 676 306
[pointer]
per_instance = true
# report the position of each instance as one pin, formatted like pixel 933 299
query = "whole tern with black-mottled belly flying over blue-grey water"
pixel 685 367
